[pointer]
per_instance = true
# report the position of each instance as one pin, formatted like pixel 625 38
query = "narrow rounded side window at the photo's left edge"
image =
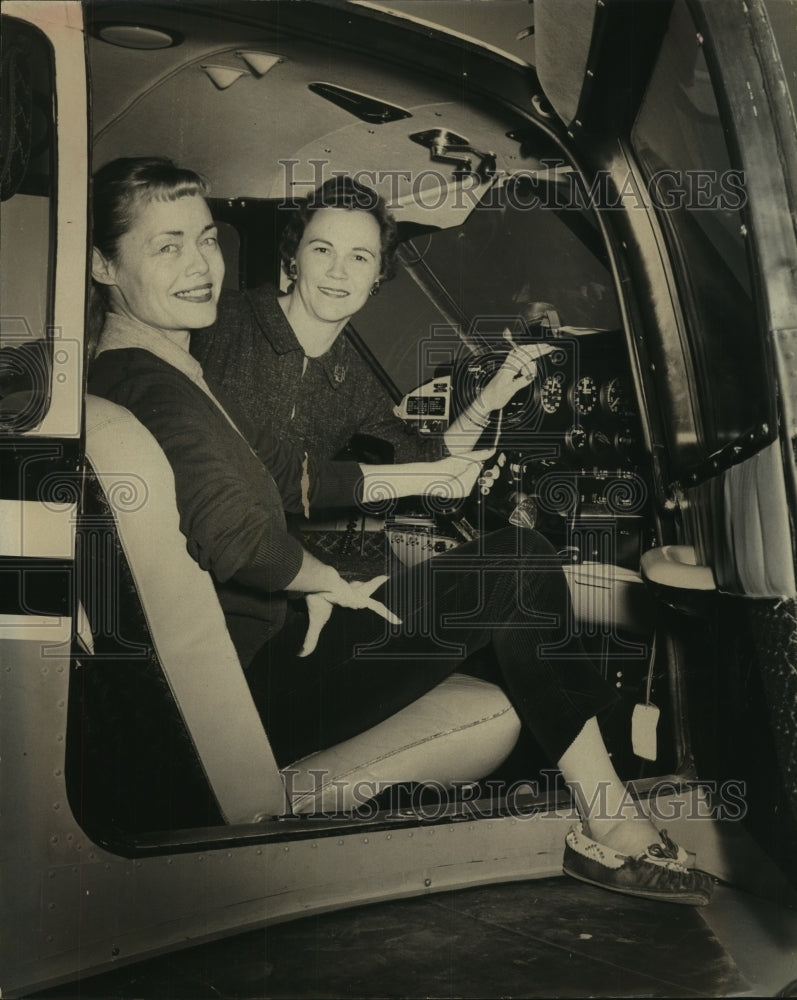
pixel 27 201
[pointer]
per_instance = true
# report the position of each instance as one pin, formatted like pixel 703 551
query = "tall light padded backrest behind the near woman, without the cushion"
pixel 183 615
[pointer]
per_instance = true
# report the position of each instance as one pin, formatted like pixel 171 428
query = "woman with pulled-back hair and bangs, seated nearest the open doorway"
pixel 157 259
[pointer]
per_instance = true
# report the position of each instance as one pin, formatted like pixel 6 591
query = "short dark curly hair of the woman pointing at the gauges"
pixel 346 193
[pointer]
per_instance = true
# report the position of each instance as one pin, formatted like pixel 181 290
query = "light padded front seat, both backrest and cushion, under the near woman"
pixel 460 731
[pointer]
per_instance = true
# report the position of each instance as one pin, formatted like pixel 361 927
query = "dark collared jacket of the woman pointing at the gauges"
pixel 251 356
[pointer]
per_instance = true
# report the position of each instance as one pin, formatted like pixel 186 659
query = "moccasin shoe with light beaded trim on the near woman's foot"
pixel 651 875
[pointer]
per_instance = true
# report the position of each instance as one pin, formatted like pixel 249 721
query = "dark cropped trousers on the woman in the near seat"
pixel 507 588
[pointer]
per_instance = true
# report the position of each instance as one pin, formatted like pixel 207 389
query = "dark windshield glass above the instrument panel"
pixel 526 243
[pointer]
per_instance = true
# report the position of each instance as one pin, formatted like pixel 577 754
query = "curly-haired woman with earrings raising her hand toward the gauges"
pixel 287 359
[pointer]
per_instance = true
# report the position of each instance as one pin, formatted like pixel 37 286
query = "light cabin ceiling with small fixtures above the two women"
pixel 233 100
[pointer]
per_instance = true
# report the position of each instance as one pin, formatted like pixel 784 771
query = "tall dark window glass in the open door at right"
pixel 681 146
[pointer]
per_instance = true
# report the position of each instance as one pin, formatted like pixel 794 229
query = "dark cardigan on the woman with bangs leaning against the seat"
pixel 230 499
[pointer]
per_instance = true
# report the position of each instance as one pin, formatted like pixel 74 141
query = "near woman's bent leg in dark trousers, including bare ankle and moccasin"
pixel 507 590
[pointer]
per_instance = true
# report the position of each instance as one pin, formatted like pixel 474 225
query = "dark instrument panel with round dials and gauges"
pixel 568 445
